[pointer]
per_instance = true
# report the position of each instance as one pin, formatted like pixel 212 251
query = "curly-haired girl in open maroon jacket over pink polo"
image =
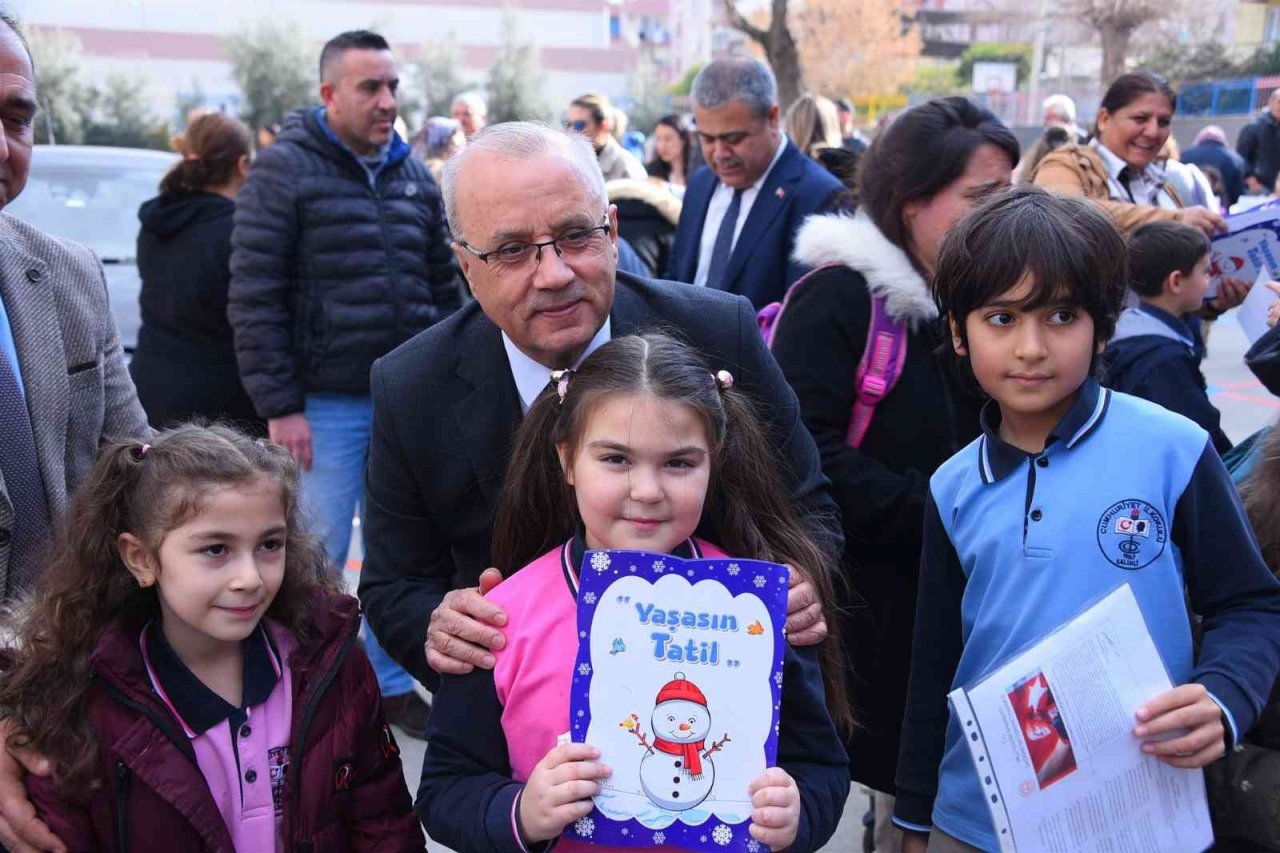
pixel 191 670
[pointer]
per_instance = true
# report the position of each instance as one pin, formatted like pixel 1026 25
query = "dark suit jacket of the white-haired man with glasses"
pixel 446 410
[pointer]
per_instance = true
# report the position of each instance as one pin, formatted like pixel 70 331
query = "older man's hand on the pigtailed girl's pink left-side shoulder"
pixel 461 633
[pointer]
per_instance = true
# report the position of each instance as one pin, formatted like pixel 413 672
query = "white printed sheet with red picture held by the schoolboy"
pixel 1052 736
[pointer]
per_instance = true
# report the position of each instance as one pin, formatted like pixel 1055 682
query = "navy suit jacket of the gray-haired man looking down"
pixel 761 266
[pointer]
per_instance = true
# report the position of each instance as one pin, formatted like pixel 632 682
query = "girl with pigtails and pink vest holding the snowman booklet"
pixel 642 445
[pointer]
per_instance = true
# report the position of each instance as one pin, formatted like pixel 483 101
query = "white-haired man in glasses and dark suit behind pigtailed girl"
pixel 447 404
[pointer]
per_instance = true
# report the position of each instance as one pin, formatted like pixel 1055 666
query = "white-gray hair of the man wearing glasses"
pixel 519 142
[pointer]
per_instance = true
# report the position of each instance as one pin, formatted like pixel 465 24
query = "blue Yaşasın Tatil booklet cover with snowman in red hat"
pixel 679 683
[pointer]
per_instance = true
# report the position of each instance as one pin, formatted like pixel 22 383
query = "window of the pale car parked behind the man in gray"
pixel 92 204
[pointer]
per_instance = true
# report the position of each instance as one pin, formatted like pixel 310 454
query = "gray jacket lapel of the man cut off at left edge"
pixel 29 302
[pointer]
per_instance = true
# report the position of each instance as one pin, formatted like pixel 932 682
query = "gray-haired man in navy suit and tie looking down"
pixel 743 211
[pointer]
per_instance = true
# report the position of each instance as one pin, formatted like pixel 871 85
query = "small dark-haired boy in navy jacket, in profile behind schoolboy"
pixel 1154 354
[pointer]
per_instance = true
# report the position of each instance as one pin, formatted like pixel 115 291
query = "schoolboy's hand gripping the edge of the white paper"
pixel 1185 709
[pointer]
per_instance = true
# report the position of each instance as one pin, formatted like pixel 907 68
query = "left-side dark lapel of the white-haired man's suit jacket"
pixel 490 414
